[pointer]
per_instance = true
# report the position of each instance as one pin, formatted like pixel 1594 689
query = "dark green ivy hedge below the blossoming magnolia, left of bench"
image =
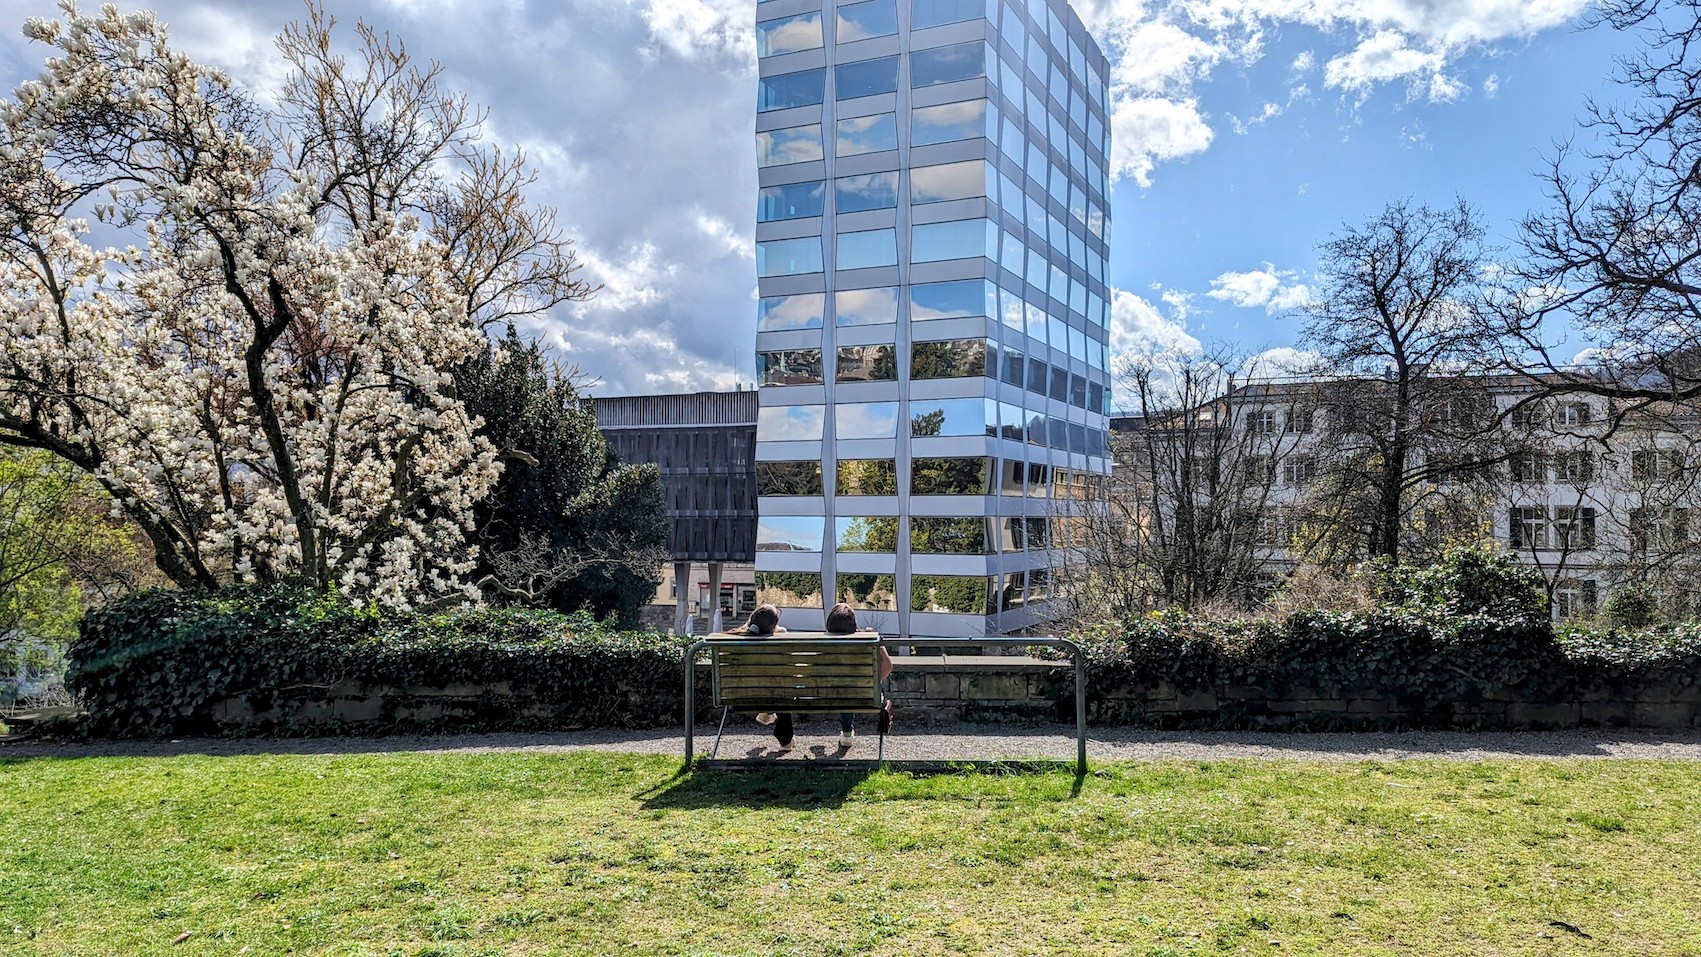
pixel 162 662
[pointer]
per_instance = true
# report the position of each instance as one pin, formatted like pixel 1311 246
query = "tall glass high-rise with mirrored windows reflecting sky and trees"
pixel 931 339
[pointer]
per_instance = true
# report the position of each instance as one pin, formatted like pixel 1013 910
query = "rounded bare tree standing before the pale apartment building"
pixel 1404 416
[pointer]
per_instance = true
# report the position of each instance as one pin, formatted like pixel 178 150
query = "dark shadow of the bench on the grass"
pixel 800 786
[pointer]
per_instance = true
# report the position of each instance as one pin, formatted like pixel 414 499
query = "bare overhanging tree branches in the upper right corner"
pixel 1619 254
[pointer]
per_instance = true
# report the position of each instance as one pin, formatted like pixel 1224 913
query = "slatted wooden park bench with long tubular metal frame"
pixel 829 674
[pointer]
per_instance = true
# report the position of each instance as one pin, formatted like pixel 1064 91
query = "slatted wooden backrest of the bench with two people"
pixel 799 674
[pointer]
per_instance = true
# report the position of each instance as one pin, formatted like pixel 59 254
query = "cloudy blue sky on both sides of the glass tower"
pixel 1246 132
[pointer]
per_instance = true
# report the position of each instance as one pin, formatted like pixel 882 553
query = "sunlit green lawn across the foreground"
pixel 612 854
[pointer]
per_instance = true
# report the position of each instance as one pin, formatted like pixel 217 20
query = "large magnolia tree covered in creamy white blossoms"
pixel 242 319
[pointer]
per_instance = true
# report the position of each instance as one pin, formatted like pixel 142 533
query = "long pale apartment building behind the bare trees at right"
pixel 1591 492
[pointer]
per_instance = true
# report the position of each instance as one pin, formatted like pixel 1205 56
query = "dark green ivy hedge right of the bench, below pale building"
pixel 1472 628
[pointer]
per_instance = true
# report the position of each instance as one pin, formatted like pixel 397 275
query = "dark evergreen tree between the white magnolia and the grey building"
pixel 567 526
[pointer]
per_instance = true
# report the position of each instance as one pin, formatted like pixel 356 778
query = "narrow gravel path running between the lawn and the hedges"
pixel 952 742
